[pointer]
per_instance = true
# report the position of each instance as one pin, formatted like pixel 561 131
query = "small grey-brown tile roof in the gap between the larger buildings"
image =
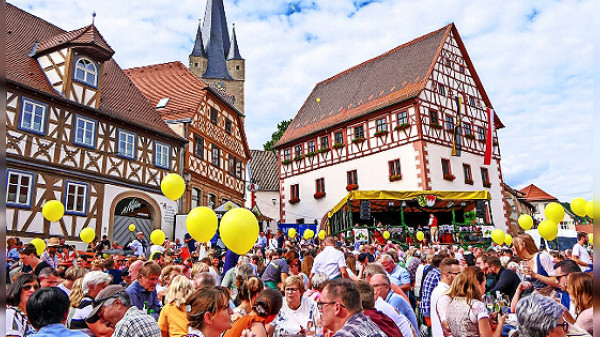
pixel 264 169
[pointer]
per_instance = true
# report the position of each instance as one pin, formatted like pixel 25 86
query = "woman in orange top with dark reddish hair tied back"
pixel 264 310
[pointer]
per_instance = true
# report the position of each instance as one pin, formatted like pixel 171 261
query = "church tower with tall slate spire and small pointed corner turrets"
pixel 215 57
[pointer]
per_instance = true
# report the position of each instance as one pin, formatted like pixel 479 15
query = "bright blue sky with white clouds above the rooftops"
pixel 535 59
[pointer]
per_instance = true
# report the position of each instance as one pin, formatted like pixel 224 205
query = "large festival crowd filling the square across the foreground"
pixel 296 287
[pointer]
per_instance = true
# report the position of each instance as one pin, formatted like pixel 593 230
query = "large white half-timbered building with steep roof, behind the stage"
pixel 389 123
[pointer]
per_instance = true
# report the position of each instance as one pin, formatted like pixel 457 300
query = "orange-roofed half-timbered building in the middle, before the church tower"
pixel 217 151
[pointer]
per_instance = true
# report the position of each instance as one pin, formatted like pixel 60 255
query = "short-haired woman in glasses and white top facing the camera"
pixel 298 311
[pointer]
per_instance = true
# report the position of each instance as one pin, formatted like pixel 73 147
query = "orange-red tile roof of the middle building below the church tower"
pixel 170 80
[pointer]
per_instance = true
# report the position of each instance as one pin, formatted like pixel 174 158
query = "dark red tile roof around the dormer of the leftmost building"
pixel 119 99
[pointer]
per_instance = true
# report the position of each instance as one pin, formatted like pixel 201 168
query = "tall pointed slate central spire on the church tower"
pixel 216 40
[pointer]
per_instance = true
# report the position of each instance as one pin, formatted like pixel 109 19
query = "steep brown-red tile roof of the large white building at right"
pixel 393 77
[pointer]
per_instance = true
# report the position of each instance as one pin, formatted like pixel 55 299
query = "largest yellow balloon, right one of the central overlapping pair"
pixel 234 223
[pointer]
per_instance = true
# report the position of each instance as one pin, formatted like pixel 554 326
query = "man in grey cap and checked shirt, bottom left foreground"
pixel 113 307
